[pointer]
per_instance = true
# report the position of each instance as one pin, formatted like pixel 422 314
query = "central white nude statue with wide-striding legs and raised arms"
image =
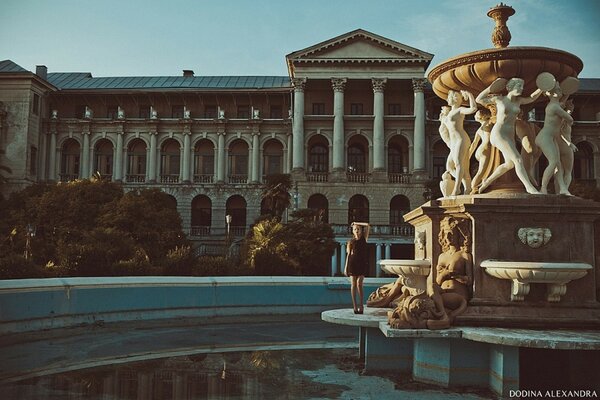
pixel 502 134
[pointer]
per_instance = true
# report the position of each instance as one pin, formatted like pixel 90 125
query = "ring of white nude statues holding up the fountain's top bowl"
pixel 500 128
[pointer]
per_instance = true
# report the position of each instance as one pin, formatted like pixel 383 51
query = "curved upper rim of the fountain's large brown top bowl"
pixel 505 53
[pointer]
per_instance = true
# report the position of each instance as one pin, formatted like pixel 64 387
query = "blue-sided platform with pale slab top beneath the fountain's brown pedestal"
pixel 495 358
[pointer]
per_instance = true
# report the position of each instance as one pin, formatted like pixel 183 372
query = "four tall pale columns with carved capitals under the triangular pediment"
pixel 338 86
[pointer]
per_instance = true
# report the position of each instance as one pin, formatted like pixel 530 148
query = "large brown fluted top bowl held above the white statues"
pixel 475 71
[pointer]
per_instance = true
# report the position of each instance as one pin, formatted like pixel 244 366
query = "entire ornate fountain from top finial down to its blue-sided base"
pixel 497 252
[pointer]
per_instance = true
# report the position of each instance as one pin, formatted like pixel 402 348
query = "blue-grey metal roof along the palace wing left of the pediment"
pixel 85 81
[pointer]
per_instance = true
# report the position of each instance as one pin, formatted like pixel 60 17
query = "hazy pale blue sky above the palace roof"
pixel 236 37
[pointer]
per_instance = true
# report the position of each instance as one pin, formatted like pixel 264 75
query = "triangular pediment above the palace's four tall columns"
pixel 359 45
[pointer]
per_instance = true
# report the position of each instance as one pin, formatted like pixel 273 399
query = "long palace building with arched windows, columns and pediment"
pixel 354 123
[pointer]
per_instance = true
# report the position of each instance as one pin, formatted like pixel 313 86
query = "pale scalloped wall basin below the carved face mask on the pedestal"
pixel 522 273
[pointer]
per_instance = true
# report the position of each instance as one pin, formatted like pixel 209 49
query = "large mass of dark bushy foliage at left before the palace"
pixel 89 228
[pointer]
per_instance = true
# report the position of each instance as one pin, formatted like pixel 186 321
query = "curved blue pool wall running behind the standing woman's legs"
pixel 38 304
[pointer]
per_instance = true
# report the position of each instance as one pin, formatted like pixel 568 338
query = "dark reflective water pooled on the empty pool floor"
pixel 283 374
